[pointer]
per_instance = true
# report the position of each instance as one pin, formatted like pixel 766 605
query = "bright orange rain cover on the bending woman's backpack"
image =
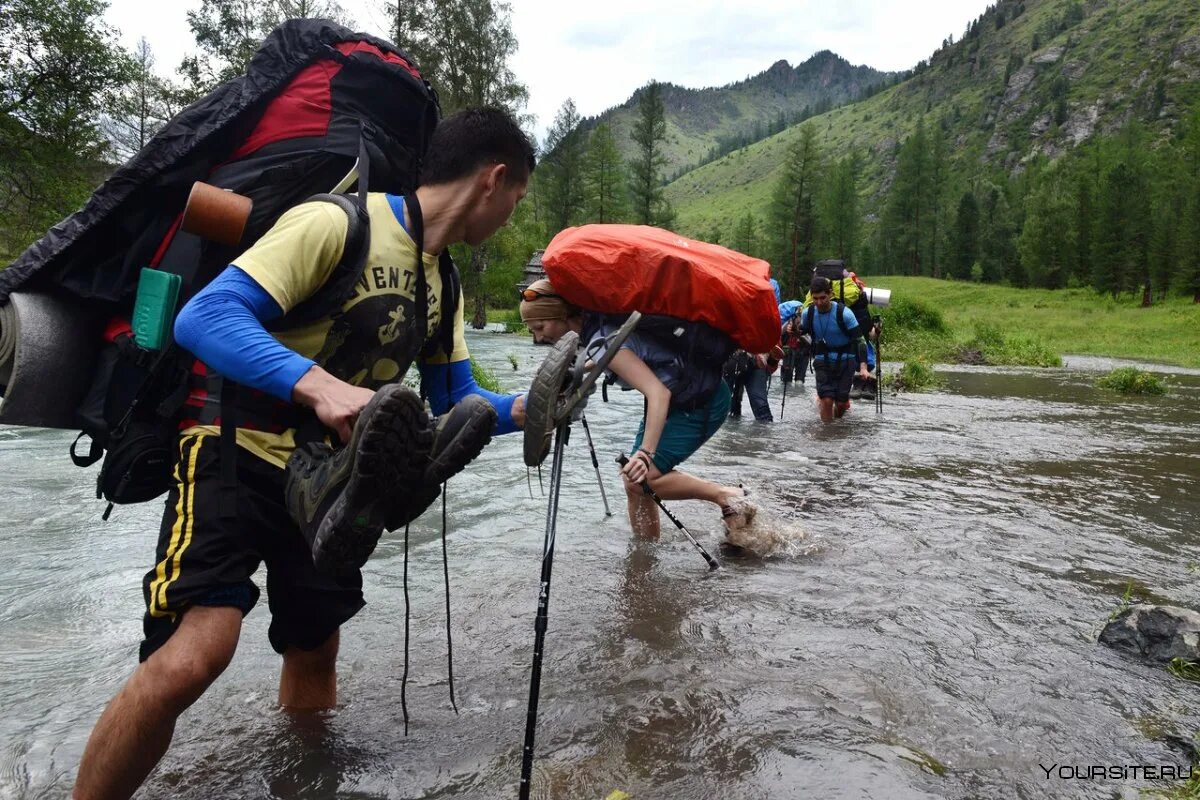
pixel 621 269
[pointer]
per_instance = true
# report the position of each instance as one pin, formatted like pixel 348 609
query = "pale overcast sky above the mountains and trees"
pixel 598 53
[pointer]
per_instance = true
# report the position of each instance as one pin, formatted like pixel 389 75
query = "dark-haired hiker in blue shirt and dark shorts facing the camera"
pixel 839 350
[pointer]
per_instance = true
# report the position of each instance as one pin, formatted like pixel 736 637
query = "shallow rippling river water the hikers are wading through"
pixel 935 639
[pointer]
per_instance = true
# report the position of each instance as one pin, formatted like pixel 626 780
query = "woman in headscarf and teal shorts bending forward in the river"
pixel 670 432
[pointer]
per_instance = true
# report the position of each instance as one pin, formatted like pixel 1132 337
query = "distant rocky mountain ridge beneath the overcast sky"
pixel 700 119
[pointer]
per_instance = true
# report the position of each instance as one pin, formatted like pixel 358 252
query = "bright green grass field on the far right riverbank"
pixel 1065 321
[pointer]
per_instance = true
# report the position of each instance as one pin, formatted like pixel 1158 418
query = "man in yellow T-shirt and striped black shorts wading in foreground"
pixel 329 507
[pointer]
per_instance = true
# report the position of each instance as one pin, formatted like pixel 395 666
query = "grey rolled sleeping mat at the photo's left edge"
pixel 49 350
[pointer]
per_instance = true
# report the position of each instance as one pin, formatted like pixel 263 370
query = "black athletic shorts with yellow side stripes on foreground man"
pixel 207 561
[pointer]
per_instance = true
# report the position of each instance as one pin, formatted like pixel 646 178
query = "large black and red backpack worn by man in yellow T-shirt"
pixel 317 103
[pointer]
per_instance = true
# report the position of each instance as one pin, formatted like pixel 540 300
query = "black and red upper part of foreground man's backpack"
pixel 289 129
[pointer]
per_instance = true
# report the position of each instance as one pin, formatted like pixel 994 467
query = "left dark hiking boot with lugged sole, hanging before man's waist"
pixel 343 498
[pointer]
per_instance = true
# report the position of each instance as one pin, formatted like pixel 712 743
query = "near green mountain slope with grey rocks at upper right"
pixel 1039 79
